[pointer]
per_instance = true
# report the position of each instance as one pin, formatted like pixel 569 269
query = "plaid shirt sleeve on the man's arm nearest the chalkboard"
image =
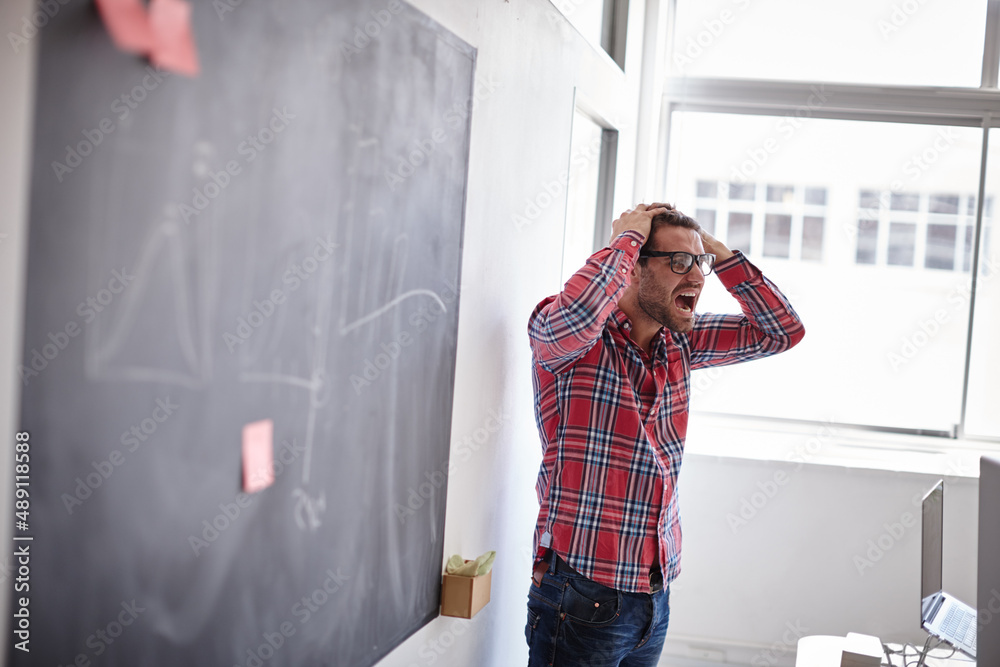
pixel 564 327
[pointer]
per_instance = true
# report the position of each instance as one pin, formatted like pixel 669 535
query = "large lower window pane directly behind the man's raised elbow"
pixel 865 358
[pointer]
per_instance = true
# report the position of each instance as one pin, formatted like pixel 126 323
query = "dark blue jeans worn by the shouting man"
pixel 576 622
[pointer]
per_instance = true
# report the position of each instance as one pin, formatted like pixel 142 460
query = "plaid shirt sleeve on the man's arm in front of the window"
pixel 767 326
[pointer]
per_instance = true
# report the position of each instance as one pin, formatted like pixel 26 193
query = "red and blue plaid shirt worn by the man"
pixel 612 427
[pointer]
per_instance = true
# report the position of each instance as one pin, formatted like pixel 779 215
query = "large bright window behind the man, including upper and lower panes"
pixel 852 177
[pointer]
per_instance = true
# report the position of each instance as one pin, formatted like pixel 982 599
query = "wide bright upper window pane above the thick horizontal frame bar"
pixel 861 41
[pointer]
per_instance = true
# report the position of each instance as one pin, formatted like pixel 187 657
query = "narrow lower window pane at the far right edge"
pixel 982 413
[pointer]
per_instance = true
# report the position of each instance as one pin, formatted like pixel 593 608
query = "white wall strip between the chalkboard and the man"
pixel 520 143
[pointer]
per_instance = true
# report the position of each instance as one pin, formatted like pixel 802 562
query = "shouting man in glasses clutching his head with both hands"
pixel 612 357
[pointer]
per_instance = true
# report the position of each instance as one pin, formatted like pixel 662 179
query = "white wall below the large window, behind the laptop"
pixel 827 549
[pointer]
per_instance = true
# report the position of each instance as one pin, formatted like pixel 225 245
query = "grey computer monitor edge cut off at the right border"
pixel 988 588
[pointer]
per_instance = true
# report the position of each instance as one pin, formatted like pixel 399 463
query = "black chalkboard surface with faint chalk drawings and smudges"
pixel 279 238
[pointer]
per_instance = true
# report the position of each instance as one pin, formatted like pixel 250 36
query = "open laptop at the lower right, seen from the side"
pixel 942 615
